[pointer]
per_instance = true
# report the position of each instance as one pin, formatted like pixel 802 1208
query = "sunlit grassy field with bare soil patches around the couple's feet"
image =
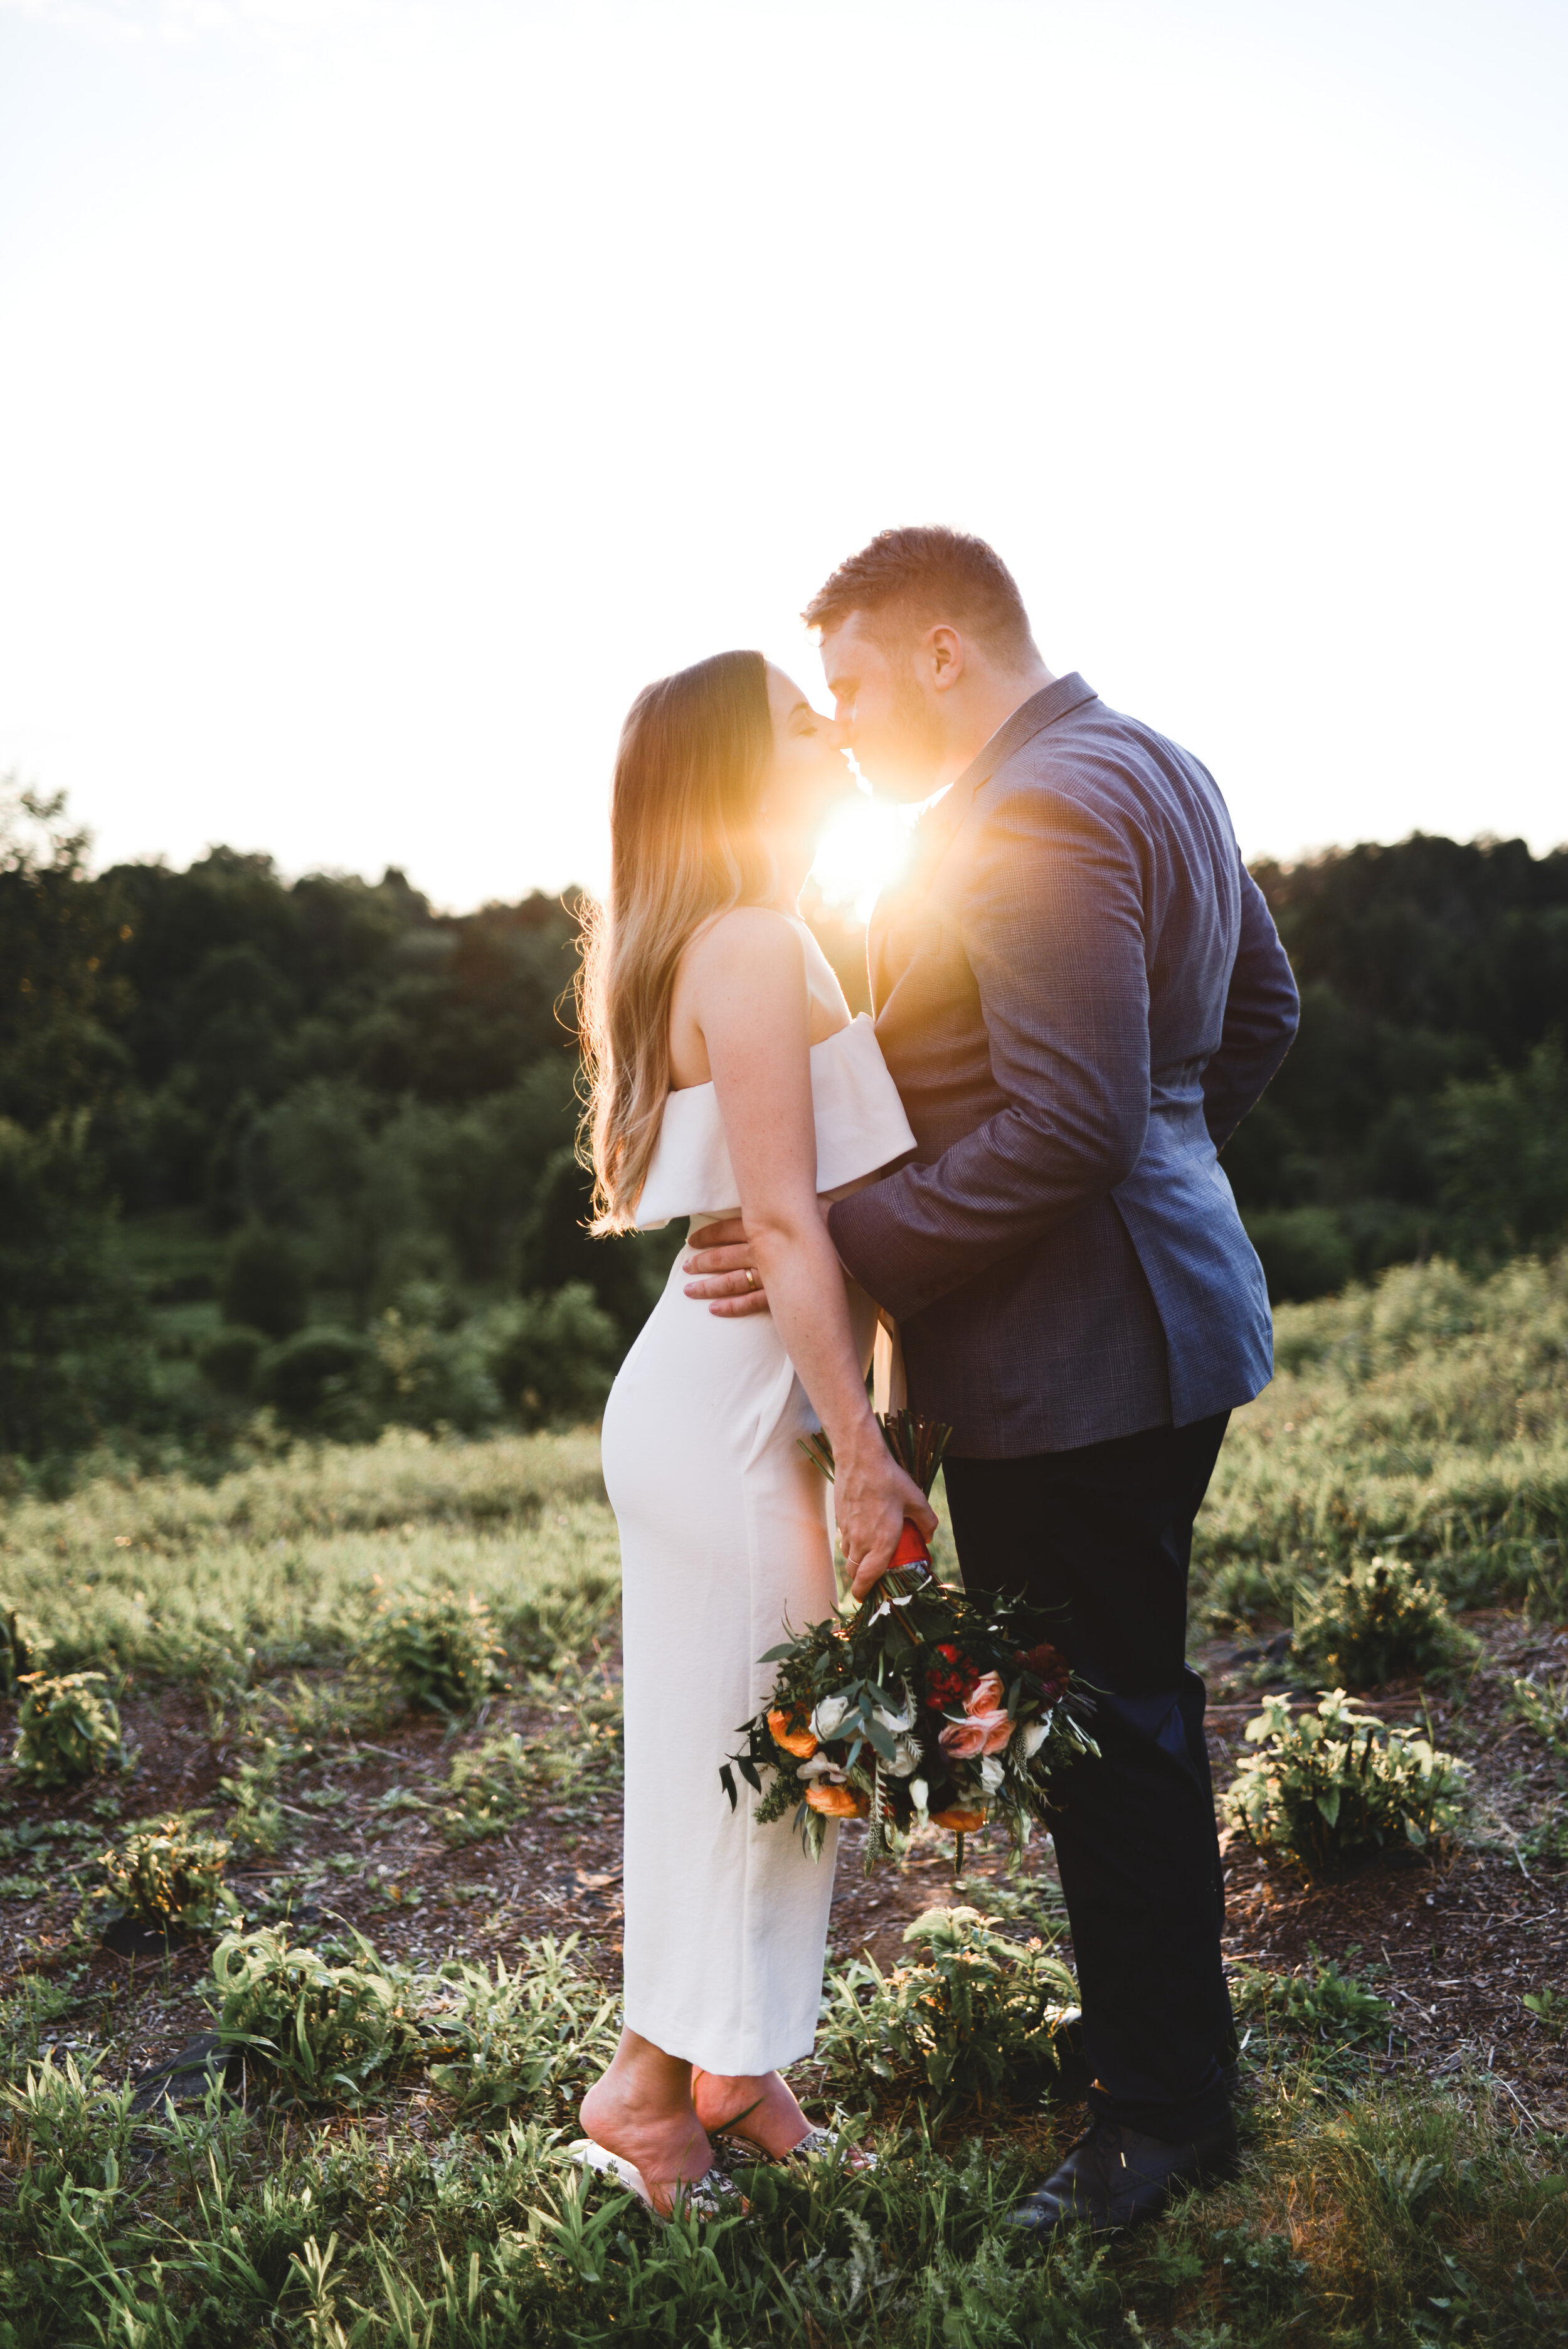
pixel 419 2197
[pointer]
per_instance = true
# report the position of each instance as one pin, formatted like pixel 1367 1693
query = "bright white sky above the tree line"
pixel 388 391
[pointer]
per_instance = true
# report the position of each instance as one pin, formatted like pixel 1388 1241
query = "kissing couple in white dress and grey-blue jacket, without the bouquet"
pixel 1079 997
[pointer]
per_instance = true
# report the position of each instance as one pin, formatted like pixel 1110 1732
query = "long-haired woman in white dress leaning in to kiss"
pixel 726 1075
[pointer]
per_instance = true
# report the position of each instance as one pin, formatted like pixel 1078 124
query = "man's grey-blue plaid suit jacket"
pixel 1081 995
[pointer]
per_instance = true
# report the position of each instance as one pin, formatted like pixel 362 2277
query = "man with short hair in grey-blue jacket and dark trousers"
pixel 1081 995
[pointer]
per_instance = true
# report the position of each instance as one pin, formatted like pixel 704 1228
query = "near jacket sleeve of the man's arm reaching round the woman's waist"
pixel 1053 927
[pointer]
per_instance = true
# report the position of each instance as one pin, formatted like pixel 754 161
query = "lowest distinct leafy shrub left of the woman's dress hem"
pixel 325 2031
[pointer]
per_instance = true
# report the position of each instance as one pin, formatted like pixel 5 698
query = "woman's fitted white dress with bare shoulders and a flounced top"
pixel 724 1540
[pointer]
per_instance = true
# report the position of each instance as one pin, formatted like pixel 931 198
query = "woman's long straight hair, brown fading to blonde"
pixel 684 847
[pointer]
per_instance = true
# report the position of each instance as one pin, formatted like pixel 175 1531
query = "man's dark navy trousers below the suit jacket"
pixel 1104 1537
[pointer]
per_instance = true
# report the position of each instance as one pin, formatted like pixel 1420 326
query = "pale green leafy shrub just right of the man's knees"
pixel 1334 1784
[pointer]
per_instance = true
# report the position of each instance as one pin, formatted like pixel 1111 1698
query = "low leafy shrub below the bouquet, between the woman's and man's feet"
pixel 975 2014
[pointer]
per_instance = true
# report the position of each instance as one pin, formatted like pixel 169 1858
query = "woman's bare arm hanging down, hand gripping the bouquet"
pixel 750 999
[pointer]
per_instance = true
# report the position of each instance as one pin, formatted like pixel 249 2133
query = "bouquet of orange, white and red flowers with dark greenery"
pixel 914 1704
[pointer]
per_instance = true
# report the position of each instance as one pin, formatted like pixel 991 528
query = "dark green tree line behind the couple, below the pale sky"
pixel 304 1150
